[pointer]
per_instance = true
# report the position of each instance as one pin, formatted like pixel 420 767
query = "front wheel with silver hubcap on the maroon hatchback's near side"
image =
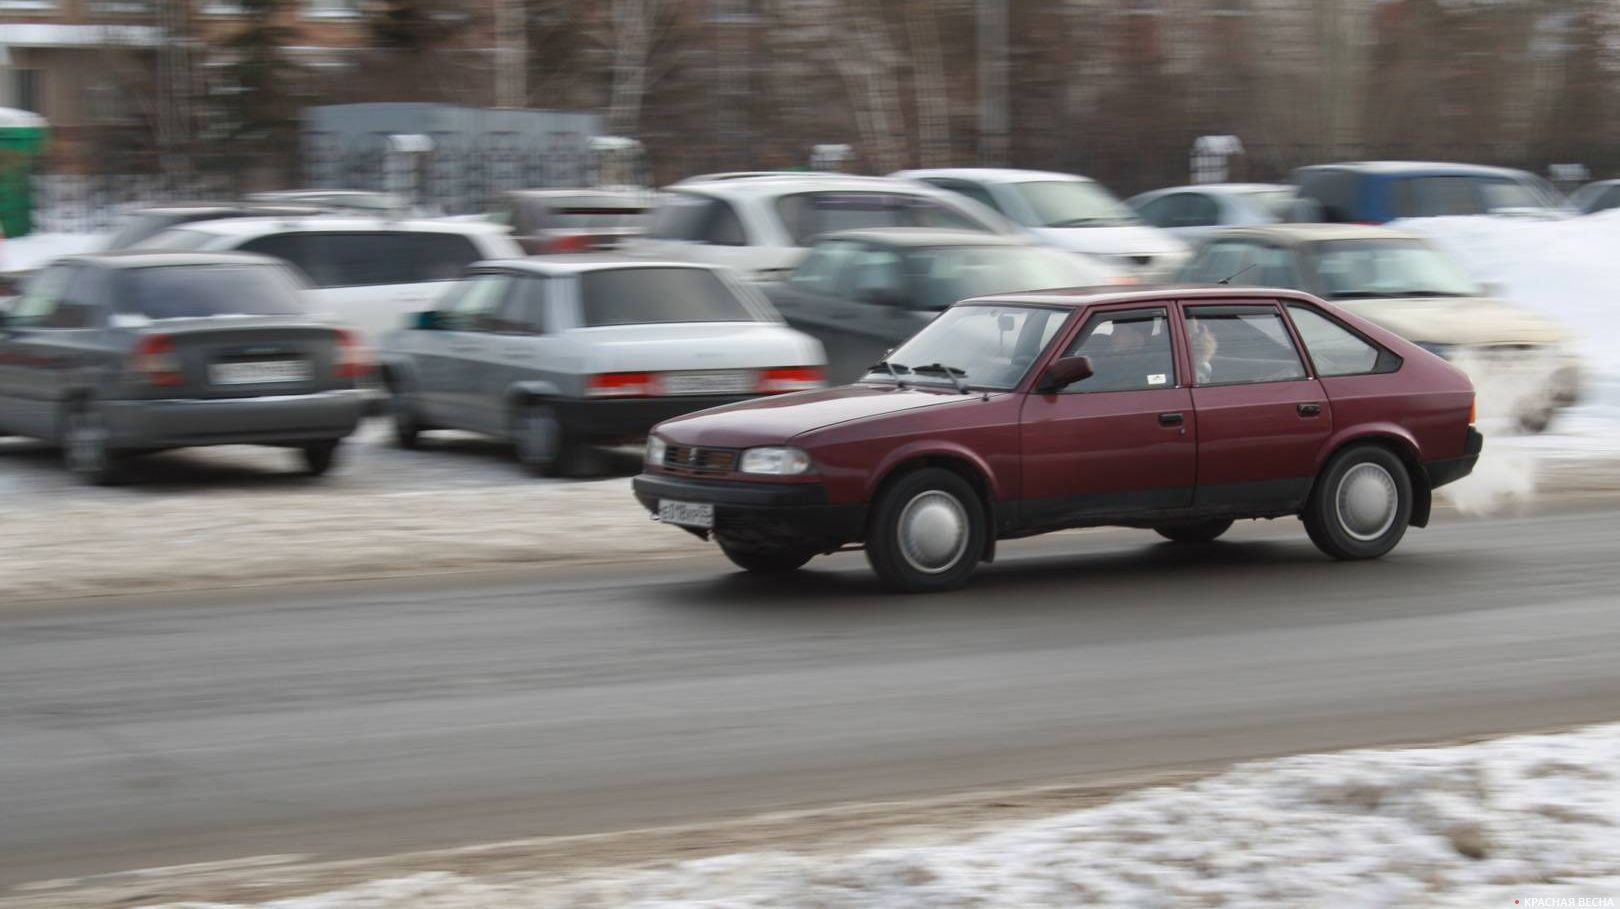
pixel 927 532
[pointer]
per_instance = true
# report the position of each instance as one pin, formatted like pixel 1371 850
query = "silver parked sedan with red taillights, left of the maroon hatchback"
pixel 565 352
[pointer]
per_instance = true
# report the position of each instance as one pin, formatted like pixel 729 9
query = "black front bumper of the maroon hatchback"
pixel 761 514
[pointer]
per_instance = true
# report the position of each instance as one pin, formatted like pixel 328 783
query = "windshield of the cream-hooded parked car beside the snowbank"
pixel 1389 268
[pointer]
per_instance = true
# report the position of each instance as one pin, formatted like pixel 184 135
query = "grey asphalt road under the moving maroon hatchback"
pixel 369 720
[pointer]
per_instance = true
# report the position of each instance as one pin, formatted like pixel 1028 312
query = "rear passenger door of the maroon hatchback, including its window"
pixel 1261 417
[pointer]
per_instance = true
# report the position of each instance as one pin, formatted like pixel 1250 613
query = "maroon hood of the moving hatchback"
pixel 777 420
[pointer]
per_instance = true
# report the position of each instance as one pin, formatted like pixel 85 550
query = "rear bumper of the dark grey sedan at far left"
pixel 173 424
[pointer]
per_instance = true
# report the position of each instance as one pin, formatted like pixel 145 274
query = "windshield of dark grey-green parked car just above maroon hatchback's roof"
pixel 945 275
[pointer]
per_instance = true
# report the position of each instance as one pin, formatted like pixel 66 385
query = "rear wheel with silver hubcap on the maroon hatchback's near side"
pixel 1362 505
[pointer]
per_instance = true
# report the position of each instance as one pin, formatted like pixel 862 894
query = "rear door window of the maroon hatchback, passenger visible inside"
pixel 1242 346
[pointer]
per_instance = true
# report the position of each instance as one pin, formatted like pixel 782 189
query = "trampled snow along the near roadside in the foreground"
pixel 1530 819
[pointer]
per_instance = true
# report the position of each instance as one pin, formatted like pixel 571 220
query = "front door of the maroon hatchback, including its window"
pixel 1120 443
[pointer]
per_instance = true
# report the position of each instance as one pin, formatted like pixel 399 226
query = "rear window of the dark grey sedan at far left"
pixel 189 292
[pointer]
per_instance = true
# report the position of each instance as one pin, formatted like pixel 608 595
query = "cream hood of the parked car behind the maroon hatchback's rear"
pixel 1457 320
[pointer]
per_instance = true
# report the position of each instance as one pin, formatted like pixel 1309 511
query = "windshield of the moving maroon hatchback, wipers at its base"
pixel 984 346
